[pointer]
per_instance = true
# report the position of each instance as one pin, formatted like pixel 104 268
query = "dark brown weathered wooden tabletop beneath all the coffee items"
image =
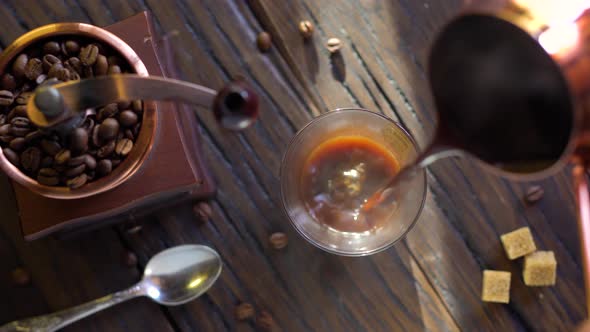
pixel 430 281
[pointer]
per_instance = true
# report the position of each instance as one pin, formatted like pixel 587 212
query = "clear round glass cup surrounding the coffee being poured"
pixel 402 212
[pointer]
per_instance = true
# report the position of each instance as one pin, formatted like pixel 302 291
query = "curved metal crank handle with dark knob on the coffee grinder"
pixel 235 106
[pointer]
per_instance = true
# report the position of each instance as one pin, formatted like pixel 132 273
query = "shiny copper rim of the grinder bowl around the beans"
pixel 145 140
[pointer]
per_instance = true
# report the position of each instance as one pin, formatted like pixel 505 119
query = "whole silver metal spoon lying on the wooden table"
pixel 172 277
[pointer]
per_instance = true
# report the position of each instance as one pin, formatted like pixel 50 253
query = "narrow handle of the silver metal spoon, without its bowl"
pixel 57 320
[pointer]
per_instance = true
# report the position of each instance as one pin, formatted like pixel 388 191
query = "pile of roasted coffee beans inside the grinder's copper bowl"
pixel 84 154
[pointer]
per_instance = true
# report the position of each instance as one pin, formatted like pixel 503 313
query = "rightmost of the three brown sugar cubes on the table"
pixel 540 269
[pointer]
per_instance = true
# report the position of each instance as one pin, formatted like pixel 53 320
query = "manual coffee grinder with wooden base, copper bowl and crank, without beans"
pixel 168 140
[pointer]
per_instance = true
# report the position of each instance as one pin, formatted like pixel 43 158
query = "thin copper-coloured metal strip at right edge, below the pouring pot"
pixel 581 187
